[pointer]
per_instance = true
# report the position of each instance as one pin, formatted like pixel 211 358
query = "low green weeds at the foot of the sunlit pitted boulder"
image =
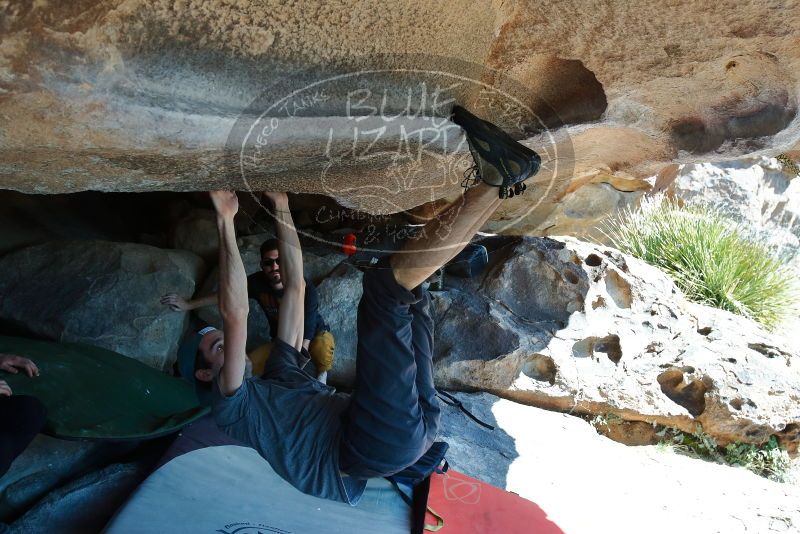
pixel 768 460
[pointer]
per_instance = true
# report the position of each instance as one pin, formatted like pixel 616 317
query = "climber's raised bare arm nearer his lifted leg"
pixel 292 309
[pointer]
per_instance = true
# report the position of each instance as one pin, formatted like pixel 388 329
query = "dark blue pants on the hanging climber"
pixel 393 415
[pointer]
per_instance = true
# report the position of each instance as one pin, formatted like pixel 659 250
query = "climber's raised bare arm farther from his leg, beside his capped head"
pixel 233 302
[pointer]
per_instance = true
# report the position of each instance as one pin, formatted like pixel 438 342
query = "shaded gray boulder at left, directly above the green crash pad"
pixel 100 293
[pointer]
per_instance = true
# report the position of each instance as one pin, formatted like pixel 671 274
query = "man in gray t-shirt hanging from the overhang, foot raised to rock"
pixel 326 443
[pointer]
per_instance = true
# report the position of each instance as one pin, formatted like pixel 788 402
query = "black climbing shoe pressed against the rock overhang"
pixel 499 160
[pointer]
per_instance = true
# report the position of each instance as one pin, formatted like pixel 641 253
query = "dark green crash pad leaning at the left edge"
pixel 97 394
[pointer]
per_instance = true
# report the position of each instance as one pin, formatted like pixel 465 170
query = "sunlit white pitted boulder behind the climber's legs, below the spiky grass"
pixel 569 326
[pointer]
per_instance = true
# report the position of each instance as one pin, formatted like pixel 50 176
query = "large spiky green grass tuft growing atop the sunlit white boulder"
pixel 713 259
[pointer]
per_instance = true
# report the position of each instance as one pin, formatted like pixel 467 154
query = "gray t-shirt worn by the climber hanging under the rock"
pixel 295 423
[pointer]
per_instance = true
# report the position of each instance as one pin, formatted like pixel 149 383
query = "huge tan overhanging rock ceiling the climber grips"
pixel 128 97
